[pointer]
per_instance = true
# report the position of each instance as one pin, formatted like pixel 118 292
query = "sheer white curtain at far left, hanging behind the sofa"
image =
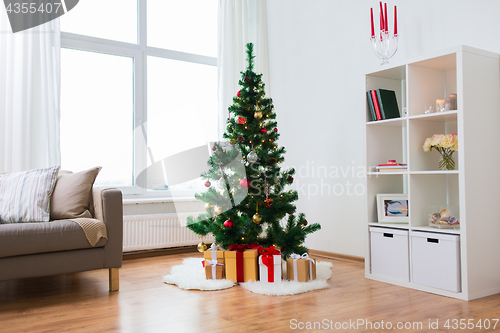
pixel 29 96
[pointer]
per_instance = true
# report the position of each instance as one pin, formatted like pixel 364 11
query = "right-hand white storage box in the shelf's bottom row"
pixel 436 260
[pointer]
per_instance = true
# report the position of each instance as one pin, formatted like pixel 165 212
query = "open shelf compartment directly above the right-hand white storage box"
pixel 429 192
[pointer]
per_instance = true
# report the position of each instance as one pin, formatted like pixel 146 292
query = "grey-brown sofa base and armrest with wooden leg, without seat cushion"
pixel 57 247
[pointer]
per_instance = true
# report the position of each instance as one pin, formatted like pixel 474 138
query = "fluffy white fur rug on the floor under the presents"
pixel 191 275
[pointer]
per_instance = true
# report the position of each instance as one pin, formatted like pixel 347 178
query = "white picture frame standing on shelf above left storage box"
pixel 392 208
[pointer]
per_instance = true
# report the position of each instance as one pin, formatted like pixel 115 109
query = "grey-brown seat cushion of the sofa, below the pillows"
pixel 40 237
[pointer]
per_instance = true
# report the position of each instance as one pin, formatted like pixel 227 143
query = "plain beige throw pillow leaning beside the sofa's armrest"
pixel 72 195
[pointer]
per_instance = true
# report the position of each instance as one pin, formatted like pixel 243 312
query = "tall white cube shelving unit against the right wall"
pixel 473 189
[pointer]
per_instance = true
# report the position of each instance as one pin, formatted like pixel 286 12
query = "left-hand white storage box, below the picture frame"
pixel 389 253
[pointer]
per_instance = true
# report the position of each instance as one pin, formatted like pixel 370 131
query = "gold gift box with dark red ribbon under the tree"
pixel 241 263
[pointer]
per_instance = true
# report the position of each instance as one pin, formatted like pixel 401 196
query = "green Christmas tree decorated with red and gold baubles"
pixel 247 199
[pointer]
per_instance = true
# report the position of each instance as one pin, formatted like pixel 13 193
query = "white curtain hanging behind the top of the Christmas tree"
pixel 240 22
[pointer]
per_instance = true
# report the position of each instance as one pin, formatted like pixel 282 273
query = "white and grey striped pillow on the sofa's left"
pixel 25 196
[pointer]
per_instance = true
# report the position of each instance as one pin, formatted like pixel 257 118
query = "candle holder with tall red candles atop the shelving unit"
pixel 385 46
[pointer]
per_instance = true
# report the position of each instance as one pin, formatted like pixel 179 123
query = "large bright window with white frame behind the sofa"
pixel 138 90
